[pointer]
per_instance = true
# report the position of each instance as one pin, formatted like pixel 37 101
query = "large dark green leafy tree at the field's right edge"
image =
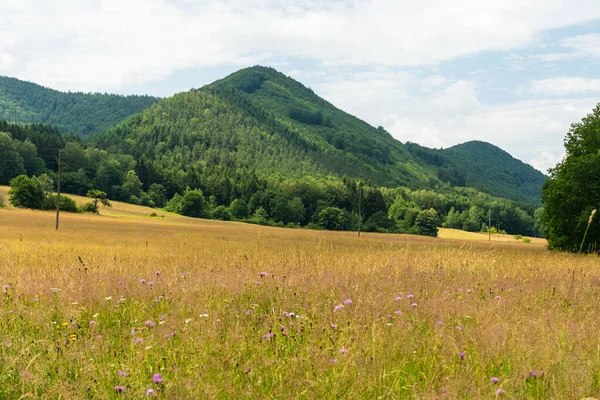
pixel 573 190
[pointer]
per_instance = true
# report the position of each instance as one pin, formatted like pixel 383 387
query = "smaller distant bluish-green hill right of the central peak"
pixel 486 167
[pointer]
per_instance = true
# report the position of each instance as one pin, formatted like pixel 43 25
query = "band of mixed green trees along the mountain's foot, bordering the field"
pixel 223 191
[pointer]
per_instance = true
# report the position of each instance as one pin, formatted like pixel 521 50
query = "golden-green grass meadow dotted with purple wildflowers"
pixel 126 306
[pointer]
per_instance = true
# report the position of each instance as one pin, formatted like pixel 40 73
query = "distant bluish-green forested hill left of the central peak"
pixel 82 113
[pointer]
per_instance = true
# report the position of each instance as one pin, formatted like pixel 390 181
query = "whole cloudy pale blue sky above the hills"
pixel 515 73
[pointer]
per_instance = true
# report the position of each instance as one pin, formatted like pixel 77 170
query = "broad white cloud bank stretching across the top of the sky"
pixel 105 44
